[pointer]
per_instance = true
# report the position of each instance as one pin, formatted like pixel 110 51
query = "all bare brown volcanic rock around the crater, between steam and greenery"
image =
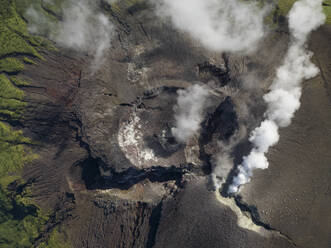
pixel 113 174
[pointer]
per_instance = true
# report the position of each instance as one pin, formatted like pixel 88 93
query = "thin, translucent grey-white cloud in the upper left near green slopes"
pixel 83 28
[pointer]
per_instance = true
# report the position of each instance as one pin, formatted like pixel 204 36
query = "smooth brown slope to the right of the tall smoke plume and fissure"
pixel 293 195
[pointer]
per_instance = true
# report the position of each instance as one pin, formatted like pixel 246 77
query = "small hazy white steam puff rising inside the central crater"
pixel 188 112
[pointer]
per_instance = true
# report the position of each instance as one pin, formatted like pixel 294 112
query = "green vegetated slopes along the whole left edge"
pixel 21 221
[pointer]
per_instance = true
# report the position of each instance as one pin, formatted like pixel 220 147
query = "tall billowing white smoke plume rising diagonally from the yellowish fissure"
pixel 283 100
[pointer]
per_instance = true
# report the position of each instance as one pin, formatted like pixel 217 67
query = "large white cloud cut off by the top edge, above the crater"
pixel 220 25
